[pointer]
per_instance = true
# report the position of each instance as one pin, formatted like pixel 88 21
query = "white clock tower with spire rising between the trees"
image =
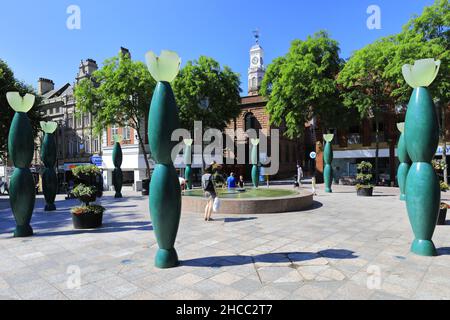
pixel 257 69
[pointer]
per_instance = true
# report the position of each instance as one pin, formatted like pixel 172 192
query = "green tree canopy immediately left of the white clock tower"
pixel 205 91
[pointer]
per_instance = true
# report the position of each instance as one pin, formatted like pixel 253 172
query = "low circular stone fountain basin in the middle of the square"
pixel 250 201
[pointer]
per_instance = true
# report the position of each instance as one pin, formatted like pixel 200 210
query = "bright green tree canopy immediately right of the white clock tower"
pixel 302 84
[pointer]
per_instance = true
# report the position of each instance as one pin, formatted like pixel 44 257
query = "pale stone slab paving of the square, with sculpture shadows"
pixel 345 247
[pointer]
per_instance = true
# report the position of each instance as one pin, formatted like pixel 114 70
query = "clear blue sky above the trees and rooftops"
pixel 35 41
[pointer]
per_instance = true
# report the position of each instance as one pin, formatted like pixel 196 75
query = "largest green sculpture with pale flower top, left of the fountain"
pixel 165 190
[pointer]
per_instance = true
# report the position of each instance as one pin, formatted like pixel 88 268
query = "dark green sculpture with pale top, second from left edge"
pixel 48 157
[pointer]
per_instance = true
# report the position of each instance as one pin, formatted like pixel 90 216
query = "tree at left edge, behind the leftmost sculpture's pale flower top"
pixel 9 83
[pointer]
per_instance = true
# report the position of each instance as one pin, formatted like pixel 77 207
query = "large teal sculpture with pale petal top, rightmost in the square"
pixel 422 138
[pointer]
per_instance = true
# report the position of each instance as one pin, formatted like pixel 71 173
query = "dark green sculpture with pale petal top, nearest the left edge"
pixel 22 192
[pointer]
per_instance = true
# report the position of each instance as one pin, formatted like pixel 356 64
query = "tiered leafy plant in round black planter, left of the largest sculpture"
pixel 87 216
